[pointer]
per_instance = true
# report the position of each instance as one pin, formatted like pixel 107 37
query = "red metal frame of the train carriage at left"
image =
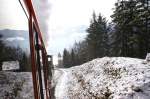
pixel 38 56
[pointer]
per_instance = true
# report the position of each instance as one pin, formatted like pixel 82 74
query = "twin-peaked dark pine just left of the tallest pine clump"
pixel 97 37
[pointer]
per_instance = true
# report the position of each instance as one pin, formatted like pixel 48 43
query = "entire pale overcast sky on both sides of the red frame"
pixel 62 21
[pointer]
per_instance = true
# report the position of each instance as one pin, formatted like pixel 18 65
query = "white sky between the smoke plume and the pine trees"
pixel 70 18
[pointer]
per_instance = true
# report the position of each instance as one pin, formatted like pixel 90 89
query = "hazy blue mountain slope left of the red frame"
pixel 15 38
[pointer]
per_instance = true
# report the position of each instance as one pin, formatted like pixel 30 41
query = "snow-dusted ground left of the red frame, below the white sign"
pixel 16 85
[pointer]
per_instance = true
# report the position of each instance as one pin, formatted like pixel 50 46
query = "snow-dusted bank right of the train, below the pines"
pixel 105 78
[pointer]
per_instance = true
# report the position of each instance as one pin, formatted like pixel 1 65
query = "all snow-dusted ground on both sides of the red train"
pixel 102 78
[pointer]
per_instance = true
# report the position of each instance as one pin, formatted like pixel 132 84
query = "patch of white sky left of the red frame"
pixel 12 15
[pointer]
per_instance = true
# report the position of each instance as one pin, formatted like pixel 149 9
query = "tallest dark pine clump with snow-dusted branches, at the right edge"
pixel 131 27
